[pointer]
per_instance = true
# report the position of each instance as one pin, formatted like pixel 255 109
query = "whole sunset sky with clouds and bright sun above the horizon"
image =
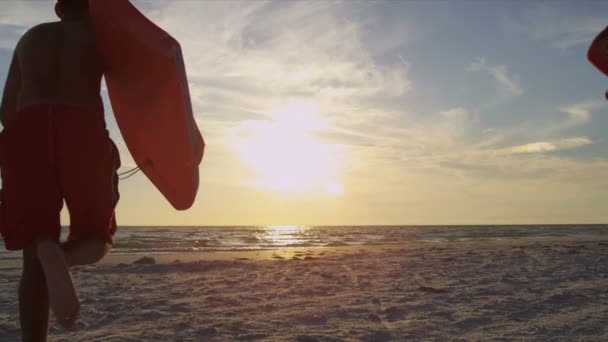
pixel 379 112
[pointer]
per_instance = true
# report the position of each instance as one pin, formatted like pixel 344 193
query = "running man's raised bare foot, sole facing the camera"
pixel 62 294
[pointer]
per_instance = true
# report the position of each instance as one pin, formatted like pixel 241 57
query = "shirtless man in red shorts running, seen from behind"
pixel 55 147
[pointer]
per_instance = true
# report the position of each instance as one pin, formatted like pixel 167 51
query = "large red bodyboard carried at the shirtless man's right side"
pixel 146 79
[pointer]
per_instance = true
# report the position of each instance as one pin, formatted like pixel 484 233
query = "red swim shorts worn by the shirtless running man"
pixel 52 153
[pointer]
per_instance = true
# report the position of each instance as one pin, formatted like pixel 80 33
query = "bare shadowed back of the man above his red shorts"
pixel 60 64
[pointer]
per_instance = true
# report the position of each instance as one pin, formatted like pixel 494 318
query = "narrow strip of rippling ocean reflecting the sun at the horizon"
pixel 155 240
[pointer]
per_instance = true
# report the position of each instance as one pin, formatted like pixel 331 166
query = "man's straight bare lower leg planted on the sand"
pixel 33 299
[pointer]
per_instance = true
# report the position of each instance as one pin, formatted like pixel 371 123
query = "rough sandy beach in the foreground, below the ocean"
pixel 510 290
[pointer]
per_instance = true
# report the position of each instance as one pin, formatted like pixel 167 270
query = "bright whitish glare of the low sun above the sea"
pixel 284 154
